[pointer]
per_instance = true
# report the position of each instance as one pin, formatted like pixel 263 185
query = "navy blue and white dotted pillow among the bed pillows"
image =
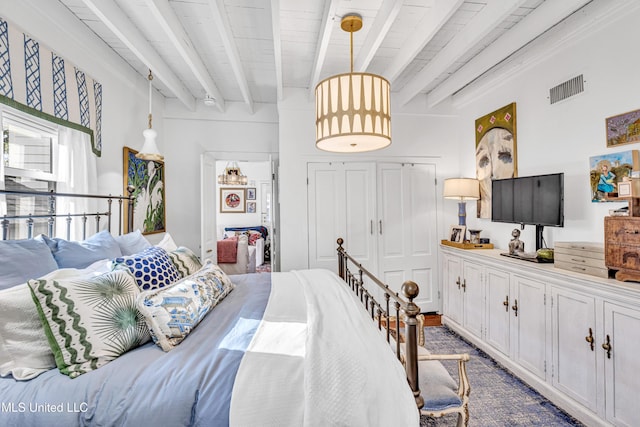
pixel 152 268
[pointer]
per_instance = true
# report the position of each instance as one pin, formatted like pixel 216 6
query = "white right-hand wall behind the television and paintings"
pixel 560 137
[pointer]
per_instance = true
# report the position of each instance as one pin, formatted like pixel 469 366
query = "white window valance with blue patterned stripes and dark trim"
pixel 36 80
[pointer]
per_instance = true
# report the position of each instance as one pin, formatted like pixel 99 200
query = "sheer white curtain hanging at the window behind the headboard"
pixel 77 174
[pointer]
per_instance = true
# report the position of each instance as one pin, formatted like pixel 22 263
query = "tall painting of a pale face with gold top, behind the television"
pixel 496 152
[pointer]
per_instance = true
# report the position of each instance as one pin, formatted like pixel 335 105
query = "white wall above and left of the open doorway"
pixel 236 134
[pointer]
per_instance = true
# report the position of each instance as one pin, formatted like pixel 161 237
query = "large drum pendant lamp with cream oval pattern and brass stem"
pixel 353 110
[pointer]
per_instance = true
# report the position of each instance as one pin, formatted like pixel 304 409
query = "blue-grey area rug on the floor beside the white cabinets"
pixel 497 397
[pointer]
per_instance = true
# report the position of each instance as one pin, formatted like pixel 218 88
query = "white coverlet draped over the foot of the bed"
pixel 317 361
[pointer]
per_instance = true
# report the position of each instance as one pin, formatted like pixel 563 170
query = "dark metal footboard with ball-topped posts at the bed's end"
pixel 381 313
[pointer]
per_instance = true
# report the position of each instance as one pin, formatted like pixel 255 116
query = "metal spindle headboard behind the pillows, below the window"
pixel 125 212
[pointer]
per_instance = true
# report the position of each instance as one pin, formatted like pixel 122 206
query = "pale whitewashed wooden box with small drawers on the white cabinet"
pixel 581 257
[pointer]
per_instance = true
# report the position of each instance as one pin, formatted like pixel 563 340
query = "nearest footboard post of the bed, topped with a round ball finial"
pixel 410 290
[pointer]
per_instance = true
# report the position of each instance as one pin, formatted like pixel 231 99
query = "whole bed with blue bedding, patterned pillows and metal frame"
pixel 282 349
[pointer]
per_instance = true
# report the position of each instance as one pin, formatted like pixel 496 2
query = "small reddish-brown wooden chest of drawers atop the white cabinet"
pixel 622 246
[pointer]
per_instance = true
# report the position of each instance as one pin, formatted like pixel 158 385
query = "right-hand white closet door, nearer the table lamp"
pixel 407 229
